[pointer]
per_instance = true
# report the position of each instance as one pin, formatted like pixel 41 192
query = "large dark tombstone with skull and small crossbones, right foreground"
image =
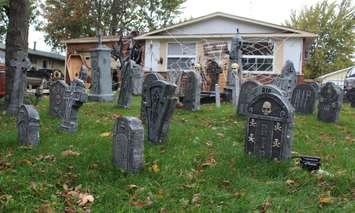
pixel 269 126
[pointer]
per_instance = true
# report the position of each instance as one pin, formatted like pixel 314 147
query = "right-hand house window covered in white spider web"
pixel 257 55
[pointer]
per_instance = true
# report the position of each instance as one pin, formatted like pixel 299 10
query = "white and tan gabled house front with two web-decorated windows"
pixel 266 46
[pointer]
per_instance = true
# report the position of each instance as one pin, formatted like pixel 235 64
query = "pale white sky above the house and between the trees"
pixel 273 11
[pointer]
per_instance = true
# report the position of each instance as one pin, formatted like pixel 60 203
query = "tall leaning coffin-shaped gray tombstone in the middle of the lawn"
pixel 159 103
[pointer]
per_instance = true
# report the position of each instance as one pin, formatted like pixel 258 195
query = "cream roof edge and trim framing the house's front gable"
pixel 289 32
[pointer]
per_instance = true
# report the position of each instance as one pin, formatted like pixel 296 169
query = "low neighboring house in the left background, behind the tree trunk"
pixel 40 59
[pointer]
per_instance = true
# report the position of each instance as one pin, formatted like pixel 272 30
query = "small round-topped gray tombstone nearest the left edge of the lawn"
pixel 28 125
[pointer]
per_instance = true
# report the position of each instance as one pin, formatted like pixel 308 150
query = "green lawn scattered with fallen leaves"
pixel 202 166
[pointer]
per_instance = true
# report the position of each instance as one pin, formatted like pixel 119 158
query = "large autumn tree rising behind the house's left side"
pixel 75 18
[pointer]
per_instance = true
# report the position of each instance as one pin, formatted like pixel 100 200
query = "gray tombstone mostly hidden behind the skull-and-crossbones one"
pixel 245 96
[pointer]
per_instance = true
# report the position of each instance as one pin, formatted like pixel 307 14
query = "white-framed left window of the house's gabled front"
pixel 181 56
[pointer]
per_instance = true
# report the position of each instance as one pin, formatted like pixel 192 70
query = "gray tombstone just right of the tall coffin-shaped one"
pixel 192 91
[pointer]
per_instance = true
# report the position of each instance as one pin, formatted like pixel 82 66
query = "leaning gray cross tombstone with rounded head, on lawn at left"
pixel 74 97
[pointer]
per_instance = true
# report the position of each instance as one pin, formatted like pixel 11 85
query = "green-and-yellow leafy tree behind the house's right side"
pixel 333 23
